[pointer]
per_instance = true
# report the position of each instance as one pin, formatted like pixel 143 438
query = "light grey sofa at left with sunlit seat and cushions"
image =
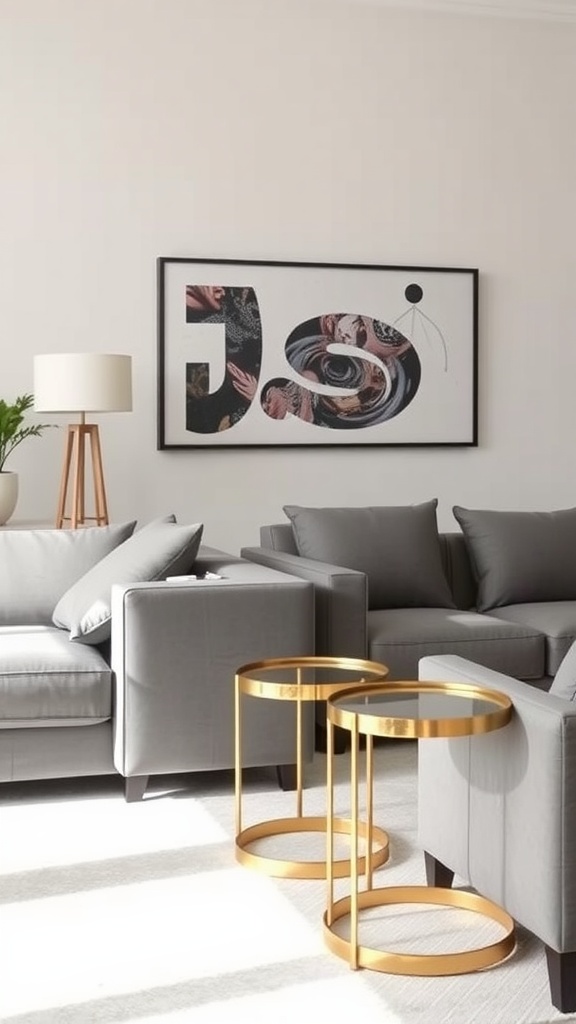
pixel 106 667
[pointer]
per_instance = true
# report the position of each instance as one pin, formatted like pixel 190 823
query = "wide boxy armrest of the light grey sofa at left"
pixel 176 649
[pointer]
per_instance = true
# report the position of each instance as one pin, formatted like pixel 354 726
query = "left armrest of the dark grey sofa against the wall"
pixel 342 601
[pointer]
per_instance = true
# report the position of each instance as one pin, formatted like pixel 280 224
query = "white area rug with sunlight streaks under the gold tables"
pixel 140 914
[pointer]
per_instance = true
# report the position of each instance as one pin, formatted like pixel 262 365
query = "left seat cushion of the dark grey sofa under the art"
pixel 399 637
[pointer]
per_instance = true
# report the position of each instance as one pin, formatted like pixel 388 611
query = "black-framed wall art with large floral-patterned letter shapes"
pixel 259 354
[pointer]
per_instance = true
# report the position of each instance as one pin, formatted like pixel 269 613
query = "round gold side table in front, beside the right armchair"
pixel 409 711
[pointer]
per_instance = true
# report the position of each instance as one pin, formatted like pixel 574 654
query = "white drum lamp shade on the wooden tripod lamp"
pixel 74 382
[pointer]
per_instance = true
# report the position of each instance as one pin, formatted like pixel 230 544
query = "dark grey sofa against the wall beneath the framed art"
pixel 501 592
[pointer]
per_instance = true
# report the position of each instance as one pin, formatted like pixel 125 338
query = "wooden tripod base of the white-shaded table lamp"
pixel 80 438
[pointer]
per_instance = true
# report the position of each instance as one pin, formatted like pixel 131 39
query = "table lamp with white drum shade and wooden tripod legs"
pixel 81 383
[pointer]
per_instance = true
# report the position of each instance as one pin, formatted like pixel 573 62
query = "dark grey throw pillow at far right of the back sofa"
pixel 521 558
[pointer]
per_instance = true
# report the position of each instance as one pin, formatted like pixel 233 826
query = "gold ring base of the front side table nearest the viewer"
pixel 422 964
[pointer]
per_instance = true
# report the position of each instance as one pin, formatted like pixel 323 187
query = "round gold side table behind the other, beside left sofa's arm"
pixel 300 680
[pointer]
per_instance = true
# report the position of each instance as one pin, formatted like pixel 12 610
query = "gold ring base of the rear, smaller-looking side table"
pixel 308 869
